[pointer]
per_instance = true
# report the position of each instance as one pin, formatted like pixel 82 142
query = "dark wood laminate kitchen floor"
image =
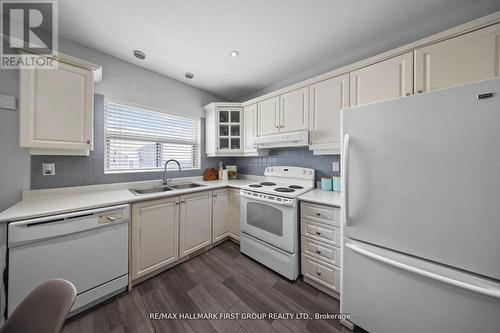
pixel 218 281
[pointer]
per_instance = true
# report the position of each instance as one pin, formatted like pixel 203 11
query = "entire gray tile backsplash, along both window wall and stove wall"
pixel 83 170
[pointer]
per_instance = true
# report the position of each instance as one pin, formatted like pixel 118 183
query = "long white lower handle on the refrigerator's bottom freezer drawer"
pixel 443 279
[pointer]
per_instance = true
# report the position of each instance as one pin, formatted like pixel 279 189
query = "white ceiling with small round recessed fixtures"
pixel 280 41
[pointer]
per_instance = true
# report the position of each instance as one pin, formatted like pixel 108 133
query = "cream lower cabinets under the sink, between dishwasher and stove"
pixel 166 230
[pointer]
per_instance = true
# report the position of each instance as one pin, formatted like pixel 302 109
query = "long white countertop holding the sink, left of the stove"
pixel 39 203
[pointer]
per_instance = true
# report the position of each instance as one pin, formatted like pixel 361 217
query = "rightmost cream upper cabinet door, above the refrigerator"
pixel 471 57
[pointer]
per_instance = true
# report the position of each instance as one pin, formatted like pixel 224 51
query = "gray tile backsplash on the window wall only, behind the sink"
pixel 83 170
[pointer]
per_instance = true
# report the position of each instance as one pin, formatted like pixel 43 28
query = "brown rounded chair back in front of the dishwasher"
pixel 43 310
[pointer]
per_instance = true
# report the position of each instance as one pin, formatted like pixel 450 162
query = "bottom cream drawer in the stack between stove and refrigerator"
pixel 320 272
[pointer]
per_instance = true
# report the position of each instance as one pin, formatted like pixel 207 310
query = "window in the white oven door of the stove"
pixel 265 217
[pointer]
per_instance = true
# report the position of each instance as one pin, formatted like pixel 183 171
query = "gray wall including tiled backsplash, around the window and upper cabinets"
pixel 125 81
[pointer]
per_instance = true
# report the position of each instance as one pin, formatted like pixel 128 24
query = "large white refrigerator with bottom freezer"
pixel 421 212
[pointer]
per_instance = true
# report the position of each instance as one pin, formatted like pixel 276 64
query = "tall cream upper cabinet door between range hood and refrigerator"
pixel 327 99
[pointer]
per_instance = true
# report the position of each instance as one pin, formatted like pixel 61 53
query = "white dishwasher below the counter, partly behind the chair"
pixel 88 248
